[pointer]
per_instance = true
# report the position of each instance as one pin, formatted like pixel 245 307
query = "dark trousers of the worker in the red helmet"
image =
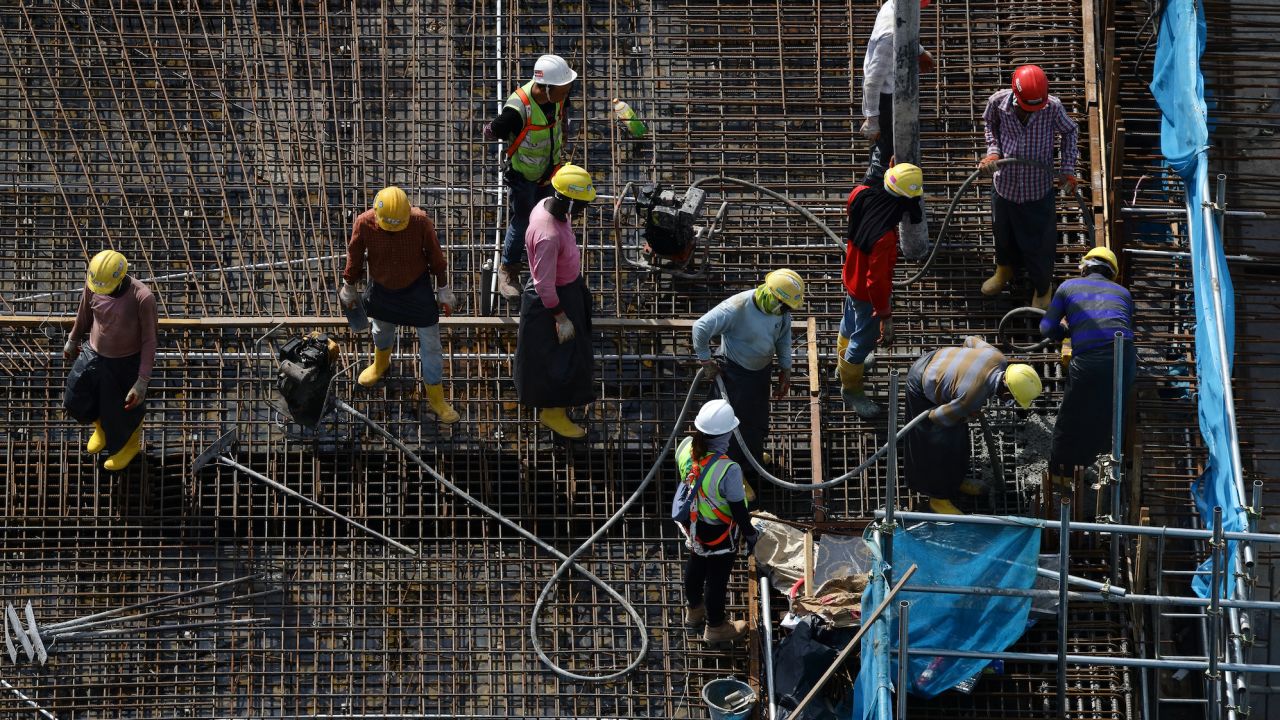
pixel 1027 238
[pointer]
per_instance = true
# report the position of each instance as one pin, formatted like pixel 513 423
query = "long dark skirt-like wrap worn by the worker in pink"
pixel 550 373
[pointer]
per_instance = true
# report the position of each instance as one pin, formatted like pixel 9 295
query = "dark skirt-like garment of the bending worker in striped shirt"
pixel 938 458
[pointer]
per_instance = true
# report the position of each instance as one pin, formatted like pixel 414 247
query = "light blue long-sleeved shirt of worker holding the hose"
pixel 748 335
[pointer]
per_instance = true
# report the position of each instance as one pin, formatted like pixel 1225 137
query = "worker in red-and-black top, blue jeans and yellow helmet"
pixel 875 212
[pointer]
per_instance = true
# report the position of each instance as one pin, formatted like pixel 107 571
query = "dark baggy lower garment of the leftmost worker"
pixel 95 391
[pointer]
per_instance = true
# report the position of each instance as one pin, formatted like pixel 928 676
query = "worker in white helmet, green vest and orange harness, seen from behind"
pixel 716 522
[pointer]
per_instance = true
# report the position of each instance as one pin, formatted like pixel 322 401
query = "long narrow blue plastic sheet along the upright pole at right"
pixel 1180 90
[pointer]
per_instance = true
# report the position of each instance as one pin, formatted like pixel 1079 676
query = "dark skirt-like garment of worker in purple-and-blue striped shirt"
pixel 1085 423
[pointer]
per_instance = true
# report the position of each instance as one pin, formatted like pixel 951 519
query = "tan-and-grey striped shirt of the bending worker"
pixel 958 380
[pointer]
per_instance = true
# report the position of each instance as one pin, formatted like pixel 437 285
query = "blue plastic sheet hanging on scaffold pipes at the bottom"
pixel 945 554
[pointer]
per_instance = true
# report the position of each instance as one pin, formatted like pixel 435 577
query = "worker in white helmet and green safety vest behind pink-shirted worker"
pixel 533 124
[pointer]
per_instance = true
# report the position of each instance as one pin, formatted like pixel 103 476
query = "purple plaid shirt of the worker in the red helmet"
pixel 1009 138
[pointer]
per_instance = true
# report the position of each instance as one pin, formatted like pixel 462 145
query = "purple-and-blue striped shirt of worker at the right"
pixel 1095 309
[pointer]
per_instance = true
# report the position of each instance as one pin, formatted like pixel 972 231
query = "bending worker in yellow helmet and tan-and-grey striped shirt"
pixel 953 385
